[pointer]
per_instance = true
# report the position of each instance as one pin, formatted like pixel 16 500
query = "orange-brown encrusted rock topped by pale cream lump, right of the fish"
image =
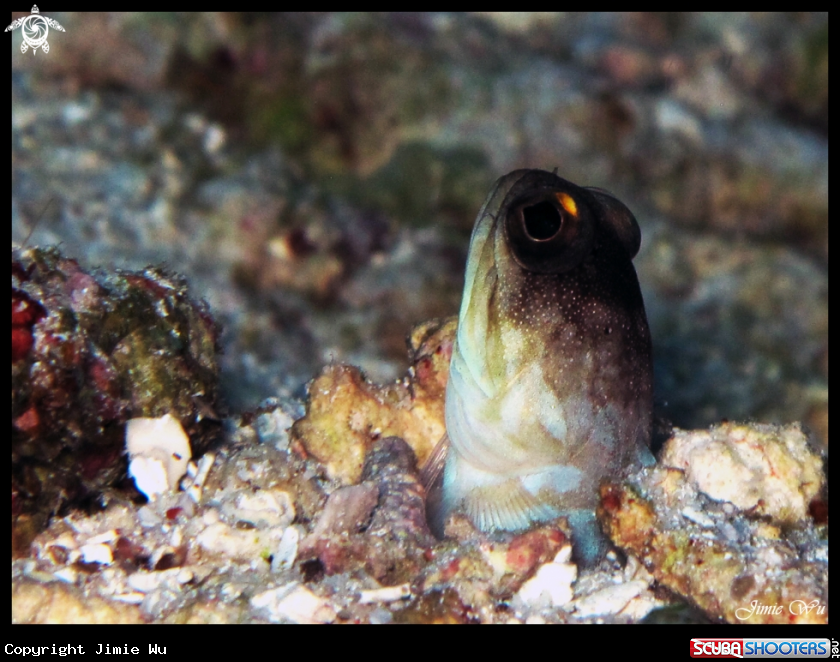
pixel 729 561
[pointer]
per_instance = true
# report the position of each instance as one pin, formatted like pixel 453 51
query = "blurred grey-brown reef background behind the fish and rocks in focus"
pixel 315 178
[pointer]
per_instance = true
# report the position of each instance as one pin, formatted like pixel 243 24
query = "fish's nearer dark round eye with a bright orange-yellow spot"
pixel 548 232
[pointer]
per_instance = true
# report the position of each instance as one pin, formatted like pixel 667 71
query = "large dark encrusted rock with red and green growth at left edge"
pixel 89 352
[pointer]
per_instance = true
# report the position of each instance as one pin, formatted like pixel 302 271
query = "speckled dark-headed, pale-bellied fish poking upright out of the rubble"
pixel 550 386
